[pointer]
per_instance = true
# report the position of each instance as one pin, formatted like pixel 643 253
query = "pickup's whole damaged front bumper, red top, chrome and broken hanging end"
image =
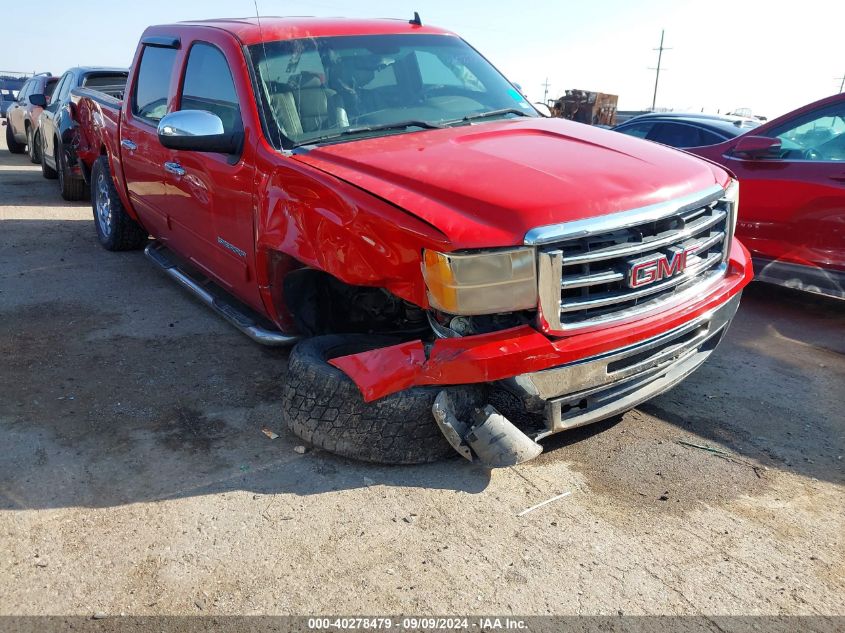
pixel 572 380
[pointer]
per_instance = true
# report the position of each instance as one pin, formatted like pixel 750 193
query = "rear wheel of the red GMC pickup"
pixel 116 230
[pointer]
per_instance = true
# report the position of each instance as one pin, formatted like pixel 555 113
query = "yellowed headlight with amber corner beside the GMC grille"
pixel 481 283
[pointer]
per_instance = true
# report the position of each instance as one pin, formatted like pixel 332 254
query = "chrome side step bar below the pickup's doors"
pixel 236 315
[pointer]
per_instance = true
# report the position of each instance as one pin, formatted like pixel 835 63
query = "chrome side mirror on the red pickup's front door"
pixel 198 131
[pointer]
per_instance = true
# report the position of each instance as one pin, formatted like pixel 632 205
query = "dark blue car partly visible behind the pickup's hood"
pixel 685 130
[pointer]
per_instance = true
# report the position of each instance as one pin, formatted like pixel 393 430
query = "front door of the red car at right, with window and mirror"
pixel 792 207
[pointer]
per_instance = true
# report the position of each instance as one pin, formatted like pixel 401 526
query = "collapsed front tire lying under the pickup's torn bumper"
pixel 324 407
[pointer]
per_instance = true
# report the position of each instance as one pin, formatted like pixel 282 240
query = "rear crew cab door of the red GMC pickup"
pixel 142 155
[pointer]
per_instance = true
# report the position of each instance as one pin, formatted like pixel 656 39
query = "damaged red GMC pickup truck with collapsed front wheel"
pixel 377 192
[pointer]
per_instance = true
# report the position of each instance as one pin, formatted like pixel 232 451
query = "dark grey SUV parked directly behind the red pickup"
pixel 56 133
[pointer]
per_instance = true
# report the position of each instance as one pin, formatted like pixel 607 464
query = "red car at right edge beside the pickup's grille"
pixel 792 171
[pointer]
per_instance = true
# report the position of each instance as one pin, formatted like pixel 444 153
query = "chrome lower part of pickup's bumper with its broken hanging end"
pixel 587 391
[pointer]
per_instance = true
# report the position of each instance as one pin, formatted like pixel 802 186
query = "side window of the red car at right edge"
pixel 816 136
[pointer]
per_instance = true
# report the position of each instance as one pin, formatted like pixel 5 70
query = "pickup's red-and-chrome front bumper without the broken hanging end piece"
pixel 519 355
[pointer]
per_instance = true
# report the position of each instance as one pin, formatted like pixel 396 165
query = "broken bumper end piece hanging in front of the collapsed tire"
pixel 489 439
